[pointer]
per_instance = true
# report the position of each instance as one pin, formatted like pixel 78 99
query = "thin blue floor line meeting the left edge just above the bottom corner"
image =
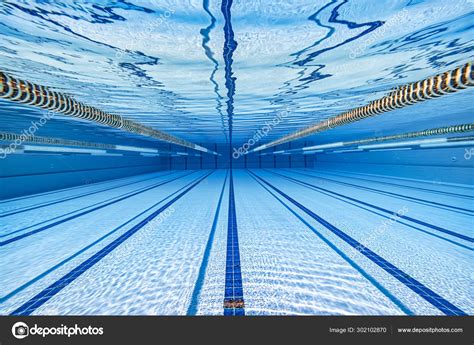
pixel 40 276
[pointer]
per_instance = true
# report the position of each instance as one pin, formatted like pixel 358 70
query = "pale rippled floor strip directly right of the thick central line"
pixel 287 270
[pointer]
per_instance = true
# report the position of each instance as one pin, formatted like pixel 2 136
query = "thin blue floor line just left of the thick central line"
pixel 193 305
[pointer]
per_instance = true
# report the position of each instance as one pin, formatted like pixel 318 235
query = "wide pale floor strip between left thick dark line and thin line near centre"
pixel 151 272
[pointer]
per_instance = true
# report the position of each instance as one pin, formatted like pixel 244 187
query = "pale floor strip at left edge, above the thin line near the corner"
pixel 23 260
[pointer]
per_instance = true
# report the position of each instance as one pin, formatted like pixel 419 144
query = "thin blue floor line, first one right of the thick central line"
pixel 366 275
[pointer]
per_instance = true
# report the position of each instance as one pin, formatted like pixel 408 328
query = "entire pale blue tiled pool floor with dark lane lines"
pixel 241 242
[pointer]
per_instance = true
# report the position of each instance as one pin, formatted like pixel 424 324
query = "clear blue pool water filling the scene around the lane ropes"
pixel 120 232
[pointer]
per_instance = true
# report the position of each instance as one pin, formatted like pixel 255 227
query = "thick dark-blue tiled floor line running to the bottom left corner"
pixel 45 295
